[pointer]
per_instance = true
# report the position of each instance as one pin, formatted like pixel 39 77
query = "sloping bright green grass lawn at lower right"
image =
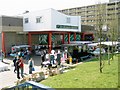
pixel 87 75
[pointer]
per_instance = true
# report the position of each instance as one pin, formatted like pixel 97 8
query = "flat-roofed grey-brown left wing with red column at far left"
pixel 11 32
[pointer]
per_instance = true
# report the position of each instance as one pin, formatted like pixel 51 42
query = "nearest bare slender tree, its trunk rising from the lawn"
pixel 100 17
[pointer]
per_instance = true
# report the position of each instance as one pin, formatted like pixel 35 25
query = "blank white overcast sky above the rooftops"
pixel 16 7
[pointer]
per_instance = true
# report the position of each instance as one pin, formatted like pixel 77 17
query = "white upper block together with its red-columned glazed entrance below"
pixel 51 27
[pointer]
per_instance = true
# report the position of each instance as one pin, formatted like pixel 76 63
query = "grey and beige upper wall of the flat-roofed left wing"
pixel 11 24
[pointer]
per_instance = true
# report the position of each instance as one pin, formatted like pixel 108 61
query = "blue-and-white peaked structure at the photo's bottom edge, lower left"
pixel 30 85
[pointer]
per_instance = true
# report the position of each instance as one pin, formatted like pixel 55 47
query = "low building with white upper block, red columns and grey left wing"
pixel 46 27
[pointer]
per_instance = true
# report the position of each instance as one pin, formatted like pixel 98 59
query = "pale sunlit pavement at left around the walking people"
pixel 8 78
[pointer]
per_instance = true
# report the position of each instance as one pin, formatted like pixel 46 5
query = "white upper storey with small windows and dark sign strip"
pixel 50 20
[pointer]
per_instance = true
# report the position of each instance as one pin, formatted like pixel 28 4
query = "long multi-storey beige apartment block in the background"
pixel 106 14
